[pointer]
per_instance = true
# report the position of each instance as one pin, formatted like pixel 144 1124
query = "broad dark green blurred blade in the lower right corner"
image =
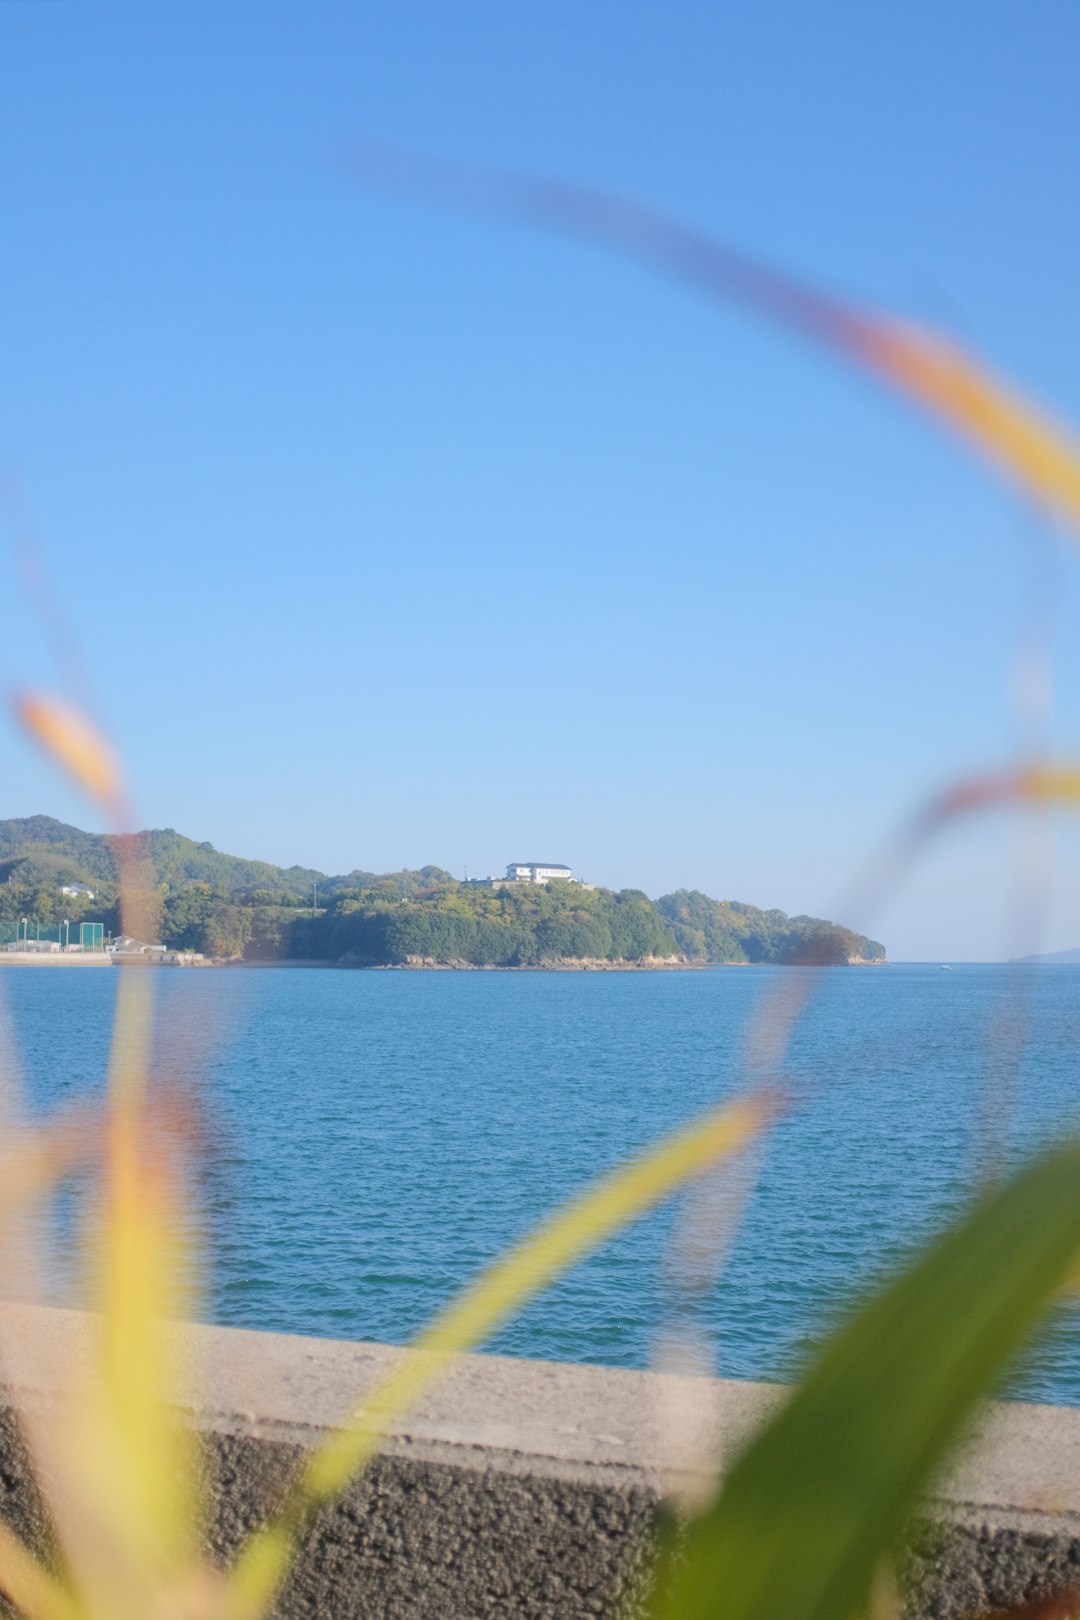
pixel 827 1491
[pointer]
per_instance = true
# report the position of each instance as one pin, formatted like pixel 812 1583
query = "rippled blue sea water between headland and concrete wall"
pixel 373 1140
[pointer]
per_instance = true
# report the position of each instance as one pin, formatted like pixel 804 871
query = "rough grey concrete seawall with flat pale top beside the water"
pixel 524 1488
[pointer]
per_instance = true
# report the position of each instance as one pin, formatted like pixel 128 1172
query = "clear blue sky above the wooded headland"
pixel 394 535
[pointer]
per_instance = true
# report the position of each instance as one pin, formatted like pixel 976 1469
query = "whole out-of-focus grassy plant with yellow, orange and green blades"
pixel 822 1499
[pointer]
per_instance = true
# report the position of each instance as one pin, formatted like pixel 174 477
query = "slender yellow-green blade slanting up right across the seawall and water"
pixel 561 1242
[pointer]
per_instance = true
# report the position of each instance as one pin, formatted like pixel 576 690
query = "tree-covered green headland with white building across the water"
pixel 249 911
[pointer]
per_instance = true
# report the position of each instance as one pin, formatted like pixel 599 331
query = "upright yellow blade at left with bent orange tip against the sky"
pixel 127 1506
